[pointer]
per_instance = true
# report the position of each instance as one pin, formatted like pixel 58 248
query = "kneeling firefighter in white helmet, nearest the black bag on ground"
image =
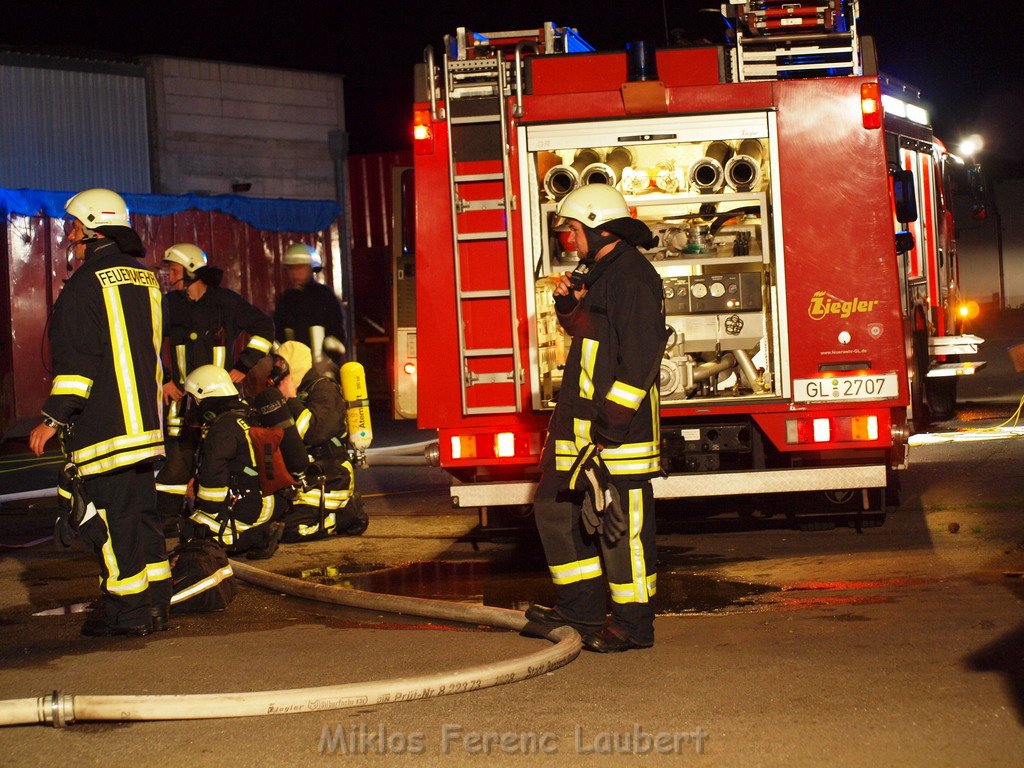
pixel 231 506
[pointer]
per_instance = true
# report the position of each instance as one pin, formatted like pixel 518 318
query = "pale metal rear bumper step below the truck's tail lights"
pixel 697 485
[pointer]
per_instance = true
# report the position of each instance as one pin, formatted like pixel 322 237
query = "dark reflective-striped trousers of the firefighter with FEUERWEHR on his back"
pixel 127 537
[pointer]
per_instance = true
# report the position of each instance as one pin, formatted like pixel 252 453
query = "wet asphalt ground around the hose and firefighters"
pixel 902 645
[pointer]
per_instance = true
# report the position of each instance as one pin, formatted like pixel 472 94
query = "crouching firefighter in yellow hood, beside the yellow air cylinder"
pixel 329 504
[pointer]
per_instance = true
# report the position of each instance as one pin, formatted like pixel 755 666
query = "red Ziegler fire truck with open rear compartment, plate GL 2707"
pixel 806 251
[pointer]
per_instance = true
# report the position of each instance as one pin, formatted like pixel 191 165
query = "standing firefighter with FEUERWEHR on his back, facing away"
pixel 105 338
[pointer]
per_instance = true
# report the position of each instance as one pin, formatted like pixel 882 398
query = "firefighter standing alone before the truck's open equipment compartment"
pixel 604 443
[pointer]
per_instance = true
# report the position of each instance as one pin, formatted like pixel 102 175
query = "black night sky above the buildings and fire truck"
pixel 967 63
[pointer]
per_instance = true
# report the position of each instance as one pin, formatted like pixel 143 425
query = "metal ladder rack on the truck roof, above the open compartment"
pixel 776 41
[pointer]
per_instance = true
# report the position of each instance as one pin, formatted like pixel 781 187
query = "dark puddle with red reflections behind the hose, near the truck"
pixel 482 582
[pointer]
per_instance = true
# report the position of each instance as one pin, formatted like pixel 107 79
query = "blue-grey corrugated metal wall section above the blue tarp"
pixel 65 130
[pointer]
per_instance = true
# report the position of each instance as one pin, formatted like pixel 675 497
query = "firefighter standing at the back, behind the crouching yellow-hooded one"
pixel 309 305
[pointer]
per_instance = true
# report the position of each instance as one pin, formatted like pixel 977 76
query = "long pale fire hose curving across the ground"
pixel 61 709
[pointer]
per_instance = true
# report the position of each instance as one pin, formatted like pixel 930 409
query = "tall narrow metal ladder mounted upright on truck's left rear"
pixel 477 74
